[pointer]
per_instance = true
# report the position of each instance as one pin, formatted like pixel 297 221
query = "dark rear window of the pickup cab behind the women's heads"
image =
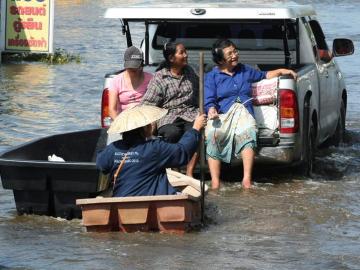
pixel 247 35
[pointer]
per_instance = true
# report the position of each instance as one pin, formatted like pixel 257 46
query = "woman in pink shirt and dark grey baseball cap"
pixel 128 87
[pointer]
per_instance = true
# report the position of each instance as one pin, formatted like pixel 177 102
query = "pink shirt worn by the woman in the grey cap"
pixel 128 96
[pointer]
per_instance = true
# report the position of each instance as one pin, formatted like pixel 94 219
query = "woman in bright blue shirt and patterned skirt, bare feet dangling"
pixel 228 103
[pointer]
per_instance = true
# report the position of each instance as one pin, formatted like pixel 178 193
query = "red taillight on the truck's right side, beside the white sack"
pixel 289 113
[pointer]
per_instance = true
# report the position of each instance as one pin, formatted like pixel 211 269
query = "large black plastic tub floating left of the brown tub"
pixel 51 188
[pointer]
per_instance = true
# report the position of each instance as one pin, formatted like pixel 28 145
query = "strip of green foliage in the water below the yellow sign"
pixel 60 56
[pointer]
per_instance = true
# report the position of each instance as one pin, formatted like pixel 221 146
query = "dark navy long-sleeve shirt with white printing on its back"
pixel 144 171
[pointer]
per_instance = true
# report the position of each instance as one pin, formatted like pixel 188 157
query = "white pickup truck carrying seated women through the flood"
pixel 307 112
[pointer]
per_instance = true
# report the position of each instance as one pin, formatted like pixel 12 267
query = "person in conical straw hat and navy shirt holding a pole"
pixel 145 160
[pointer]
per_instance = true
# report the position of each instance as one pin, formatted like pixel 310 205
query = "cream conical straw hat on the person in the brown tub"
pixel 135 117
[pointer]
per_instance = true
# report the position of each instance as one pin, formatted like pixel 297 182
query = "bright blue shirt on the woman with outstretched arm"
pixel 222 90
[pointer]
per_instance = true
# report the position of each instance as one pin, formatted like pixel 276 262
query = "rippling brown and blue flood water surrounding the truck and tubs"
pixel 285 222
